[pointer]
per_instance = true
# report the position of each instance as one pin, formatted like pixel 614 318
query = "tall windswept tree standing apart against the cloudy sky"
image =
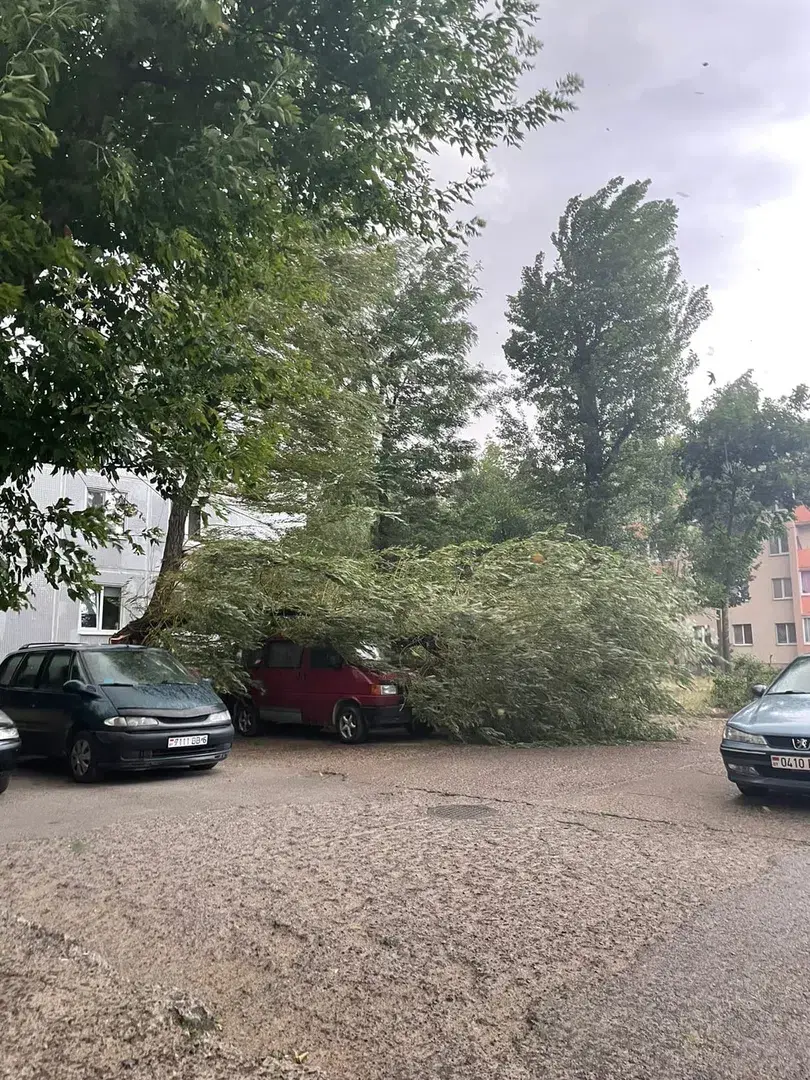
pixel 601 348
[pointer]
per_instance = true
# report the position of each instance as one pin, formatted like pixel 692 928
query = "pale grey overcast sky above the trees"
pixel 730 142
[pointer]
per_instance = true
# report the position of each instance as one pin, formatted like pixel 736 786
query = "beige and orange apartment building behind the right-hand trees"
pixel 775 624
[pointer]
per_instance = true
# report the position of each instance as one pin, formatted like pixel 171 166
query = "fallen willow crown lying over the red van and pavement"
pixel 546 640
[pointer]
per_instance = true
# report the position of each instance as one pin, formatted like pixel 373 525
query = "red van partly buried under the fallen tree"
pixel 316 686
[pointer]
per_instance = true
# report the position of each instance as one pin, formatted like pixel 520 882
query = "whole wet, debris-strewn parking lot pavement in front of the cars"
pixel 408 911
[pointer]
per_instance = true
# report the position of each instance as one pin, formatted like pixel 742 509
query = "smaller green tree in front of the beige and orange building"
pixel 747 460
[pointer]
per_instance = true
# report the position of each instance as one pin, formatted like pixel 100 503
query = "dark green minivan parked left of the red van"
pixel 113 707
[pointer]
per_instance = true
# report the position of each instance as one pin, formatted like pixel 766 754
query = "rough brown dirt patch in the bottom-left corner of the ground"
pixel 69 1014
